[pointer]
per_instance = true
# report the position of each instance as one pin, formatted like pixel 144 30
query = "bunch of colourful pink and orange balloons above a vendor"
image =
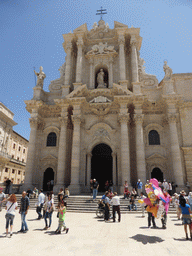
pixel 157 200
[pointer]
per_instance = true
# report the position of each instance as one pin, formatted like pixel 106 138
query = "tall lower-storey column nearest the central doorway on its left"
pixel 75 159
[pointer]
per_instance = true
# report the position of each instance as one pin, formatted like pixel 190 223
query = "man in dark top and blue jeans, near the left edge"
pixel 24 206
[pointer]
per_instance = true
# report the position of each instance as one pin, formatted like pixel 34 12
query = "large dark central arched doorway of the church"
pixel 101 164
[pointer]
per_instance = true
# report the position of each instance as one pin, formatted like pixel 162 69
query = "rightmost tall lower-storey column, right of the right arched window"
pixel 175 150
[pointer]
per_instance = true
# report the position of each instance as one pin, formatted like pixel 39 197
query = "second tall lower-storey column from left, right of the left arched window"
pixel 61 153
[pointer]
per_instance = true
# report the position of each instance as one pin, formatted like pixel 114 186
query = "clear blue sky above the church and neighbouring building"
pixel 31 36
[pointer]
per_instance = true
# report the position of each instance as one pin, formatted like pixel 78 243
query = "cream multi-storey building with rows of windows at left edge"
pixel 13 149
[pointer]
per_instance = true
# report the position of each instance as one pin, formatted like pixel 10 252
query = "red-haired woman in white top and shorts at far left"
pixel 11 206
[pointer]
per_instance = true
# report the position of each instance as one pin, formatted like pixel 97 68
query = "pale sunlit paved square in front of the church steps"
pixel 91 236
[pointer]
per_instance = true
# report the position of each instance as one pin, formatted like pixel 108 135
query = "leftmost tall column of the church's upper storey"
pixel 65 88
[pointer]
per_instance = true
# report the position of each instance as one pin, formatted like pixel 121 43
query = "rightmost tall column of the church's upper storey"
pixel 134 61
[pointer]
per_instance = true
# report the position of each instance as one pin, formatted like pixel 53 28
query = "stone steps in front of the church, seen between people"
pixel 85 204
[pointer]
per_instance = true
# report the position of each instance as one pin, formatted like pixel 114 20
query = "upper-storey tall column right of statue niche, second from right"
pixel 121 41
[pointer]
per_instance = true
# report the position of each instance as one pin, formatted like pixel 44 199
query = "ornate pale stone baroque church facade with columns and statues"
pixel 106 118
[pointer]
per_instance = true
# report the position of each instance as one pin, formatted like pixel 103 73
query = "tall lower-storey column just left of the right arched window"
pixel 140 148
